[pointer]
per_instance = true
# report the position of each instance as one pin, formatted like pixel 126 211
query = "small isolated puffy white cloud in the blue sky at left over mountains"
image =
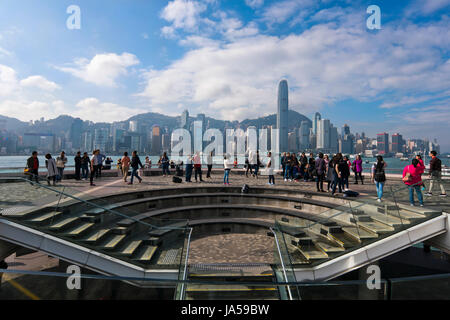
pixel 103 69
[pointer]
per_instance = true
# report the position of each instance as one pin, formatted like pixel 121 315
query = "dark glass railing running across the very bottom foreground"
pixel 45 285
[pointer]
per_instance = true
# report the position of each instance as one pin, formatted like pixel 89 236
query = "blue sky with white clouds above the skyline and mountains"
pixel 224 58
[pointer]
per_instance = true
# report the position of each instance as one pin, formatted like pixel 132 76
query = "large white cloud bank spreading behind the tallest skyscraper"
pixel 325 64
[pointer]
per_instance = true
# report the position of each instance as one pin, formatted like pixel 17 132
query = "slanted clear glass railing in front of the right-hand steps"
pixel 312 238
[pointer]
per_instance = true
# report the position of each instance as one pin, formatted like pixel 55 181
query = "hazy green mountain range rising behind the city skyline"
pixel 61 125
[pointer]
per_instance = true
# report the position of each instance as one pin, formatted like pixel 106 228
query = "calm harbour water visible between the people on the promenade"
pixel 394 165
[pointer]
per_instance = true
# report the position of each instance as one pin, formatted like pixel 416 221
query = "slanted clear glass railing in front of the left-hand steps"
pixel 130 230
